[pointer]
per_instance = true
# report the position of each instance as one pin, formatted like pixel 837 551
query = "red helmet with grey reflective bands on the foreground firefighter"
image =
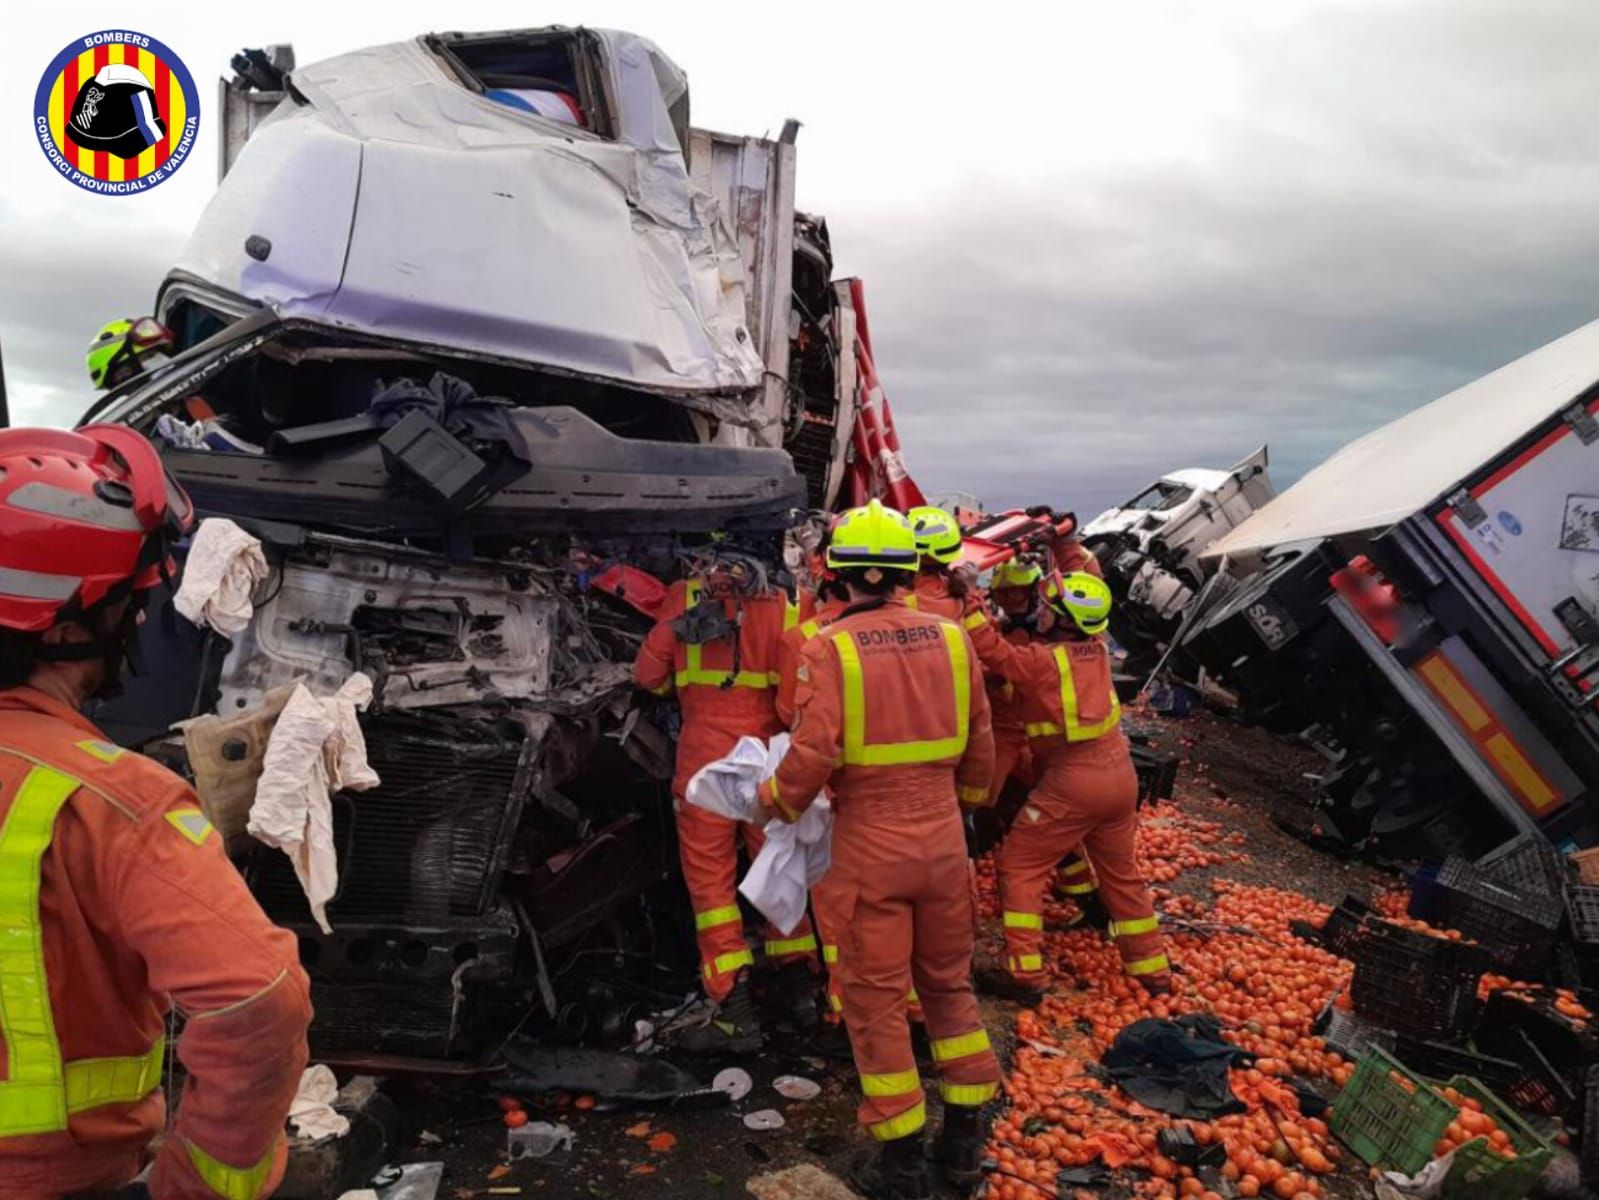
pixel 86 516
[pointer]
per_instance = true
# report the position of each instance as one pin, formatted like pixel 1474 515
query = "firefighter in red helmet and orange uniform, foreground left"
pixel 116 897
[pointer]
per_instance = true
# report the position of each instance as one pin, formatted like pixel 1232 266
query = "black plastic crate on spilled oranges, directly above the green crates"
pixel 1416 985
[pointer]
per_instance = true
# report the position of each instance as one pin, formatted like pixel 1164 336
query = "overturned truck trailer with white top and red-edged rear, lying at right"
pixel 1430 596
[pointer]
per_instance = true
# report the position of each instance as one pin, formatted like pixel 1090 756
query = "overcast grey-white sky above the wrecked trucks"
pixel 1099 241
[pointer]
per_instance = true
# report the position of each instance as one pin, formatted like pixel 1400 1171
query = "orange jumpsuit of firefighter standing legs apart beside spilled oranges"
pixel 1087 794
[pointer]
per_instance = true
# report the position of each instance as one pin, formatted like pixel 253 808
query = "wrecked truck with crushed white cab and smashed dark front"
pixel 487 343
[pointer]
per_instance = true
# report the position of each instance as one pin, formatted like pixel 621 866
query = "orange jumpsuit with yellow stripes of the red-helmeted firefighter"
pixel 116 905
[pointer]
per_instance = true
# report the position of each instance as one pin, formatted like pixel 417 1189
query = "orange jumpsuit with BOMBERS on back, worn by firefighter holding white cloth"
pixel 893 714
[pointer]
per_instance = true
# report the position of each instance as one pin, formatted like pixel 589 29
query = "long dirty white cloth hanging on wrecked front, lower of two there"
pixel 316 750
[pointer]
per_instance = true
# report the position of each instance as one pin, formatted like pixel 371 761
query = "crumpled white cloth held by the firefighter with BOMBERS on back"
pixel 796 857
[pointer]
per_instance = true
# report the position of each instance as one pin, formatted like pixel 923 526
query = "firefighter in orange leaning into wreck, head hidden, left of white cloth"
pixel 716 646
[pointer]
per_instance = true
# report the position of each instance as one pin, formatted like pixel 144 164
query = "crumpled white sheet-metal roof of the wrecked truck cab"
pixel 562 247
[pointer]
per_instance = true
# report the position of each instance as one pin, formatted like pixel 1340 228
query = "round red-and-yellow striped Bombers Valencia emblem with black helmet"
pixel 118 113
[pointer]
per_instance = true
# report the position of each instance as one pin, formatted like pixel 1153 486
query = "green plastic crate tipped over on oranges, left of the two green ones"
pixel 1386 1124
